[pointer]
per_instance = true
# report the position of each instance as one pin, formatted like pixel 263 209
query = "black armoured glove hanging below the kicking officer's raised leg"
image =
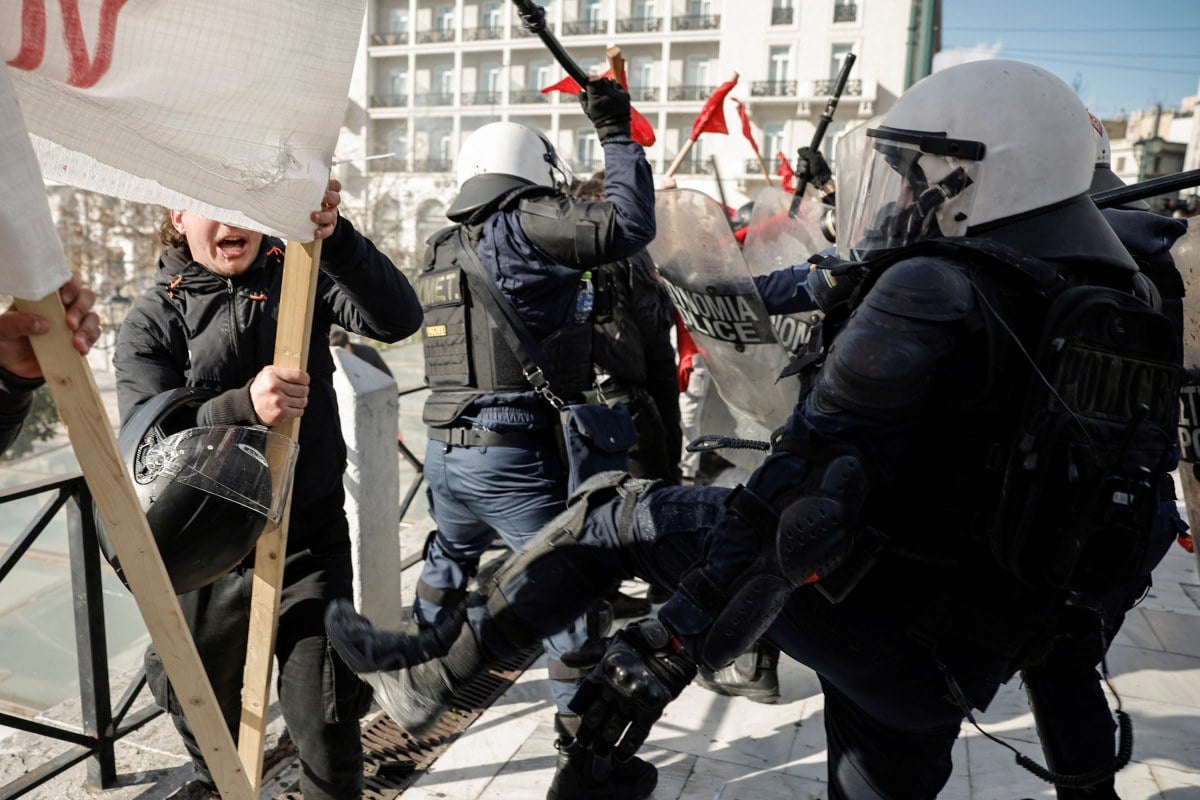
pixel 644 670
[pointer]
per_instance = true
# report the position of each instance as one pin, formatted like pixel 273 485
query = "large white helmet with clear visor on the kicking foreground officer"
pixel 970 148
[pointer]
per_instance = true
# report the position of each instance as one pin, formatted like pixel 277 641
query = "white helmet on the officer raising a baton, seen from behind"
pixel 501 158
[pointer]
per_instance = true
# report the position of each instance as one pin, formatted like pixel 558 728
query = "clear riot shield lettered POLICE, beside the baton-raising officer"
pixel 703 268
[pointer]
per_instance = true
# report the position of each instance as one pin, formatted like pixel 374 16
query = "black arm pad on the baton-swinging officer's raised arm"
pixel 569 230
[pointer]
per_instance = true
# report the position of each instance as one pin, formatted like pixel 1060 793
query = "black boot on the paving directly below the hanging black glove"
pixel 581 777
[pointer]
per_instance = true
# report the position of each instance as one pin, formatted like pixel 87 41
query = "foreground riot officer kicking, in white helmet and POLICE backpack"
pixel 865 545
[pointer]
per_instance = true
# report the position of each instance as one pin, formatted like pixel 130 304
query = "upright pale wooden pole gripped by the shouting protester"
pixel 299 293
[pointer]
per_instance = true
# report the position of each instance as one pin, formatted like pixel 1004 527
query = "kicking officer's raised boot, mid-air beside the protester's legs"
pixel 413 677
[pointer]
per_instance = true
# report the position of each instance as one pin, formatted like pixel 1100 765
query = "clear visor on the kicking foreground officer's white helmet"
pixel 913 187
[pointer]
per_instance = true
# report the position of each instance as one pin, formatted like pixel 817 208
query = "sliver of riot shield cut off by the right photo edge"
pixel 1186 254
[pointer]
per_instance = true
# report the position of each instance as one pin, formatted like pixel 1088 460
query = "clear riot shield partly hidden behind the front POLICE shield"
pixel 776 242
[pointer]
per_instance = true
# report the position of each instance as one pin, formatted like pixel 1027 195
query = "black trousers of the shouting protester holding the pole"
pixel 321 699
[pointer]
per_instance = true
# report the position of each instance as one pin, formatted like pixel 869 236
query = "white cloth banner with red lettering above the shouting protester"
pixel 230 109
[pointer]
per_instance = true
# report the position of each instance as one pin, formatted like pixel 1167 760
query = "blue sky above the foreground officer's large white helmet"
pixel 1120 56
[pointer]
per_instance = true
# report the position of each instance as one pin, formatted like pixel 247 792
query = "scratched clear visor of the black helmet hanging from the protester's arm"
pixel 230 462
